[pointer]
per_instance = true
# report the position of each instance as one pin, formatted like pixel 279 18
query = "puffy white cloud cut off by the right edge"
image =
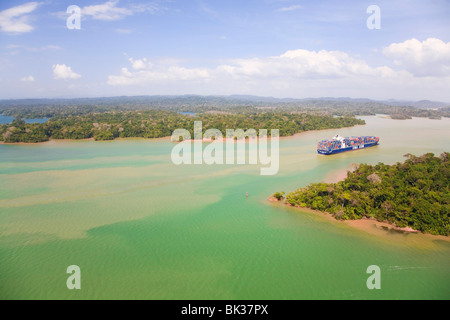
pixel 427 58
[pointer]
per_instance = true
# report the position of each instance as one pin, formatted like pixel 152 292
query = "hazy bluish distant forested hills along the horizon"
pixel 49 108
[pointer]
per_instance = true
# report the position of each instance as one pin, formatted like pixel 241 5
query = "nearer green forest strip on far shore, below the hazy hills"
pixel 156 123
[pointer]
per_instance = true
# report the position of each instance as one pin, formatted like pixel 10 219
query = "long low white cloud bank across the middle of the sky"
pixel 288 67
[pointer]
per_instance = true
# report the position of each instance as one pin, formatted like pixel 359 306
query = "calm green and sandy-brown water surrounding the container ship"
pixel 141 228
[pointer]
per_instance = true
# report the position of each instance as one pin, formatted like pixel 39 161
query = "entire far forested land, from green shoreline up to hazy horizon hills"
pixel 158 116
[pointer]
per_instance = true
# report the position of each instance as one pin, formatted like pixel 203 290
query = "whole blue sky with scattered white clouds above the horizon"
pixel 276 48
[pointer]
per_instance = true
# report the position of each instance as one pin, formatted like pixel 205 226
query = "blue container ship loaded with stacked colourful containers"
pixel 339 144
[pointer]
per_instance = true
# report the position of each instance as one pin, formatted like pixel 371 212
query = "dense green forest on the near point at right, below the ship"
pixel 413 194
